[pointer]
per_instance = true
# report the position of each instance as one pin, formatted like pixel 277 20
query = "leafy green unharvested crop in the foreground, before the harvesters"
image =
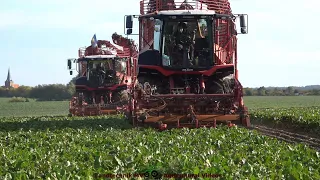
pixel 78 148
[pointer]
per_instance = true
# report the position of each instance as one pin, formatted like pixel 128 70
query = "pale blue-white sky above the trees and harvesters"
pixel 38 36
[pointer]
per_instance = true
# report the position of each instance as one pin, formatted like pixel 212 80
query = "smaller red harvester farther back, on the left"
pixel 105 74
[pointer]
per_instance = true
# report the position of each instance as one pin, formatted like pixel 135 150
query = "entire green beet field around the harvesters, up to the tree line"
pixel 38 141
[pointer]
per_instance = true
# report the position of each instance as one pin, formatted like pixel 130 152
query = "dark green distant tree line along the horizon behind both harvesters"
pixel 60 92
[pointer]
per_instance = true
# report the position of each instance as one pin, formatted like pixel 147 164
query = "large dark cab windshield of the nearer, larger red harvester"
pixel 186 44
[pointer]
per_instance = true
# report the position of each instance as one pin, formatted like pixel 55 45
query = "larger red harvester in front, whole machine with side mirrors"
pixel 187 65
